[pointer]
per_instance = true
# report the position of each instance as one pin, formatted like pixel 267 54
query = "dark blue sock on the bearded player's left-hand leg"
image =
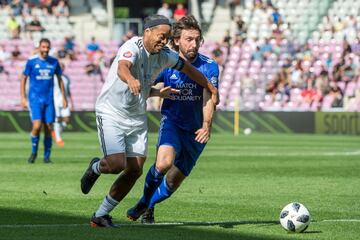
pixel 152 181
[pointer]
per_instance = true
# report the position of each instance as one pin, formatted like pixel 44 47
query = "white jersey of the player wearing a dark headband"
pixel 115 96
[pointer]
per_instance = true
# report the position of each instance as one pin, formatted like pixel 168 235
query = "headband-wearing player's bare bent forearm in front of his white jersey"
pixel 125 75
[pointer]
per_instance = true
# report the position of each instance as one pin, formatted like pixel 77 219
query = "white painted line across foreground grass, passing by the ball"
pixel 224 223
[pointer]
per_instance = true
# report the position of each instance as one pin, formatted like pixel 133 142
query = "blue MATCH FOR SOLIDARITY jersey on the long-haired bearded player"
pixel 186 111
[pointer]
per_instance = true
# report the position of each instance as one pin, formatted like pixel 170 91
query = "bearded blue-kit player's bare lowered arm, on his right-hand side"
pixel 203 134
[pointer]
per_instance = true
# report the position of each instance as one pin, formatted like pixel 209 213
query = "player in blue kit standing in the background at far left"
pixel 41 69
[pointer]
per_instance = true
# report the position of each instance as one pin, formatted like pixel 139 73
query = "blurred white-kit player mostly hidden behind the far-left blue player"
pixel 62 115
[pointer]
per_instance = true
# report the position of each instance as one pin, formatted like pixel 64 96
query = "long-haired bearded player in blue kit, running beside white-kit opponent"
pixel 185 125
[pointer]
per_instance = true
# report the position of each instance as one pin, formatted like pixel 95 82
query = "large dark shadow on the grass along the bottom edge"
pixel 16 224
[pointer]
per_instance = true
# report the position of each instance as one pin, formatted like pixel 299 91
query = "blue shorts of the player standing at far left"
pixel 44 112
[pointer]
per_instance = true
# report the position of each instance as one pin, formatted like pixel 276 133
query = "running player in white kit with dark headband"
pixel 121 110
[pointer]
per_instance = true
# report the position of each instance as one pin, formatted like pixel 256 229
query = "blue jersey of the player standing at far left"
pixel 41 73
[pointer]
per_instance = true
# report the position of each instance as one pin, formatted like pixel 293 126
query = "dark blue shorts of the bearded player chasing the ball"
pixel 187 149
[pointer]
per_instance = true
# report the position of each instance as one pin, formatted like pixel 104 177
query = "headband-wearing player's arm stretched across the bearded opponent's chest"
pixel 199 78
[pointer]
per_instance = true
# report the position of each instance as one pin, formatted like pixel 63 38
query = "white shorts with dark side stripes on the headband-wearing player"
pixel 116 137
